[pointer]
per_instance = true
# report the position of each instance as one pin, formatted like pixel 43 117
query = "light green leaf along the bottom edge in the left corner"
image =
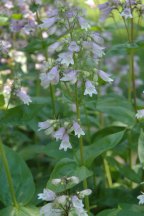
pixel 22 211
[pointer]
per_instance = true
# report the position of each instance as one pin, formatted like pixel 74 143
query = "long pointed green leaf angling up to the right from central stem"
pixel 100 146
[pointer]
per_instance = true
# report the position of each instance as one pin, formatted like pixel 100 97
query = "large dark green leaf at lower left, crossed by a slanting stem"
pixel 21 177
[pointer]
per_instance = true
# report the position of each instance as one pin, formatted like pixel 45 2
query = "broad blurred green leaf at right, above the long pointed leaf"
pixel 117 107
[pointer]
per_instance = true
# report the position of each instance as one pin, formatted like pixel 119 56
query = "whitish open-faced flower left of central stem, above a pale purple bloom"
pixel 66 58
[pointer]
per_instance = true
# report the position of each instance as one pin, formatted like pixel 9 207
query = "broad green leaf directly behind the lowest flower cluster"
pixel 67 167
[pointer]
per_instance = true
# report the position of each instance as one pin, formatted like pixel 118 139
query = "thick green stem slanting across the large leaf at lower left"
pixel 8 174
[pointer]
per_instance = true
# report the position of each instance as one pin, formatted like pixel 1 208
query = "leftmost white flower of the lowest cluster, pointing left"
pixel 47 195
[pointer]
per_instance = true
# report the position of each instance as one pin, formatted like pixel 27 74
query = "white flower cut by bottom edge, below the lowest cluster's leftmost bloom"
pixel 49 210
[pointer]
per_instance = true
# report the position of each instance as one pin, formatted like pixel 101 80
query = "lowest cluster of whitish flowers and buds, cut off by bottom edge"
pixel 63 204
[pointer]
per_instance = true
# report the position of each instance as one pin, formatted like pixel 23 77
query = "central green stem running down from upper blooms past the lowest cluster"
pixel 85 186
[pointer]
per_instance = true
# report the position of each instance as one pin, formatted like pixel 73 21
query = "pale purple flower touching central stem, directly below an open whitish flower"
pixel 70 76
